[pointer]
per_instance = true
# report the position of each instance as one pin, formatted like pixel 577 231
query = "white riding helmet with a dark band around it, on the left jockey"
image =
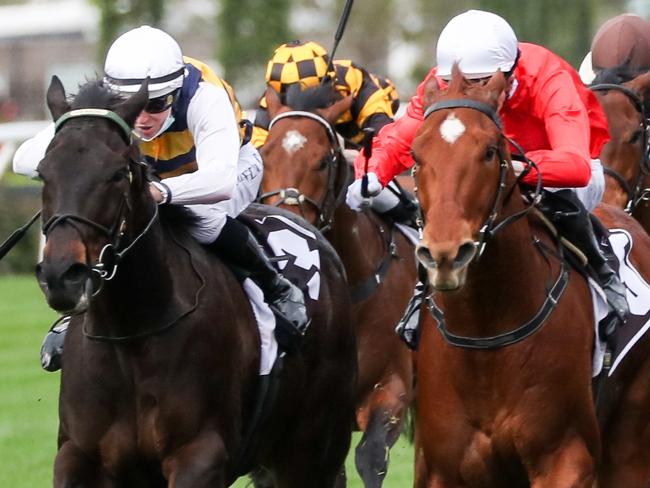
pixel 141 52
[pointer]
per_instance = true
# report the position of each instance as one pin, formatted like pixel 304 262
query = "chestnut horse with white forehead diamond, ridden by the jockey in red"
pixel 504 384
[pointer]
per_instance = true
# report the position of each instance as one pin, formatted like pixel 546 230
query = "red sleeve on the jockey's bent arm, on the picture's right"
pixel 567 162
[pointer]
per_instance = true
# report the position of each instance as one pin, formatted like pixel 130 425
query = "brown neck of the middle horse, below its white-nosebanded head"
pixel 358 240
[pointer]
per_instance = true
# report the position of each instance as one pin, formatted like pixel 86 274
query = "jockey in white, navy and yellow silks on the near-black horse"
pixel 193 137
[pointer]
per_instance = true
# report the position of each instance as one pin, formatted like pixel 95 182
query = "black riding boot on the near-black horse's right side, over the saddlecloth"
pixel 239 248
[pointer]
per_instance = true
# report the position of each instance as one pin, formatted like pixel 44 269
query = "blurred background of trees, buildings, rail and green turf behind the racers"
pixel 69 38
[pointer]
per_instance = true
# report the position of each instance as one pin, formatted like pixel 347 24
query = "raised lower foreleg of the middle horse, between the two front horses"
pixel 381 419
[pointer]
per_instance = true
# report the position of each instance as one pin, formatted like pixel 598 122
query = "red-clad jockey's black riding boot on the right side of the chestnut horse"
pixel 575 223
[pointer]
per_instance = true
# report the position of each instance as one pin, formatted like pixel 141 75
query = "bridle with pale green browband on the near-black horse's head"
pixel 112 253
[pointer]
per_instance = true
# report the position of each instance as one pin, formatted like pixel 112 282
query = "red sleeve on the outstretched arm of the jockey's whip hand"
pixel 391 148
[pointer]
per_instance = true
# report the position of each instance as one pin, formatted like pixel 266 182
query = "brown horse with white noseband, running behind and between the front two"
pixel 306 172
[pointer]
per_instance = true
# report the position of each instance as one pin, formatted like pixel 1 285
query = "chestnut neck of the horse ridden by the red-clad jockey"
pixel 511 271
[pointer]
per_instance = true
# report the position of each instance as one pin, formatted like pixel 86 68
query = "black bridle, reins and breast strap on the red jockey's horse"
pixel 488 230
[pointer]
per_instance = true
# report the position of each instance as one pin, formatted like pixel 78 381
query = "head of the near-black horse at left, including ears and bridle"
pixel 91 183
